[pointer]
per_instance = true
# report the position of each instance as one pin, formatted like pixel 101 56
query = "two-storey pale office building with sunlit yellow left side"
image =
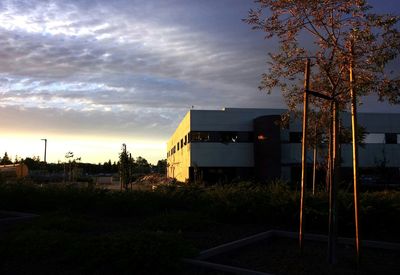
pixel 218 145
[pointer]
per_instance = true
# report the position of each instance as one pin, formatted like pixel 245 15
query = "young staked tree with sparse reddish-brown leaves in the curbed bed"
pixel 351 47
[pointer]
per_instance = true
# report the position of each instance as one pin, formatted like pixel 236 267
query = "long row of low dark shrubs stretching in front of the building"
pixel 274 205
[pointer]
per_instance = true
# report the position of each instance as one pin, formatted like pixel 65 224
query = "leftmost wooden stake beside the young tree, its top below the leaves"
pixel 304 151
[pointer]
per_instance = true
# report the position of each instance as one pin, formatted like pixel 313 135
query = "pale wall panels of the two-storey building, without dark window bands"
pixel 241 154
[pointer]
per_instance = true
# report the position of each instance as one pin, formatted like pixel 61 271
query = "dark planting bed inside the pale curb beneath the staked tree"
pixel 282 256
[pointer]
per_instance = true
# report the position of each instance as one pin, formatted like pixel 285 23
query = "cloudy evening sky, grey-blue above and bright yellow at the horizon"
pixel 90 75
